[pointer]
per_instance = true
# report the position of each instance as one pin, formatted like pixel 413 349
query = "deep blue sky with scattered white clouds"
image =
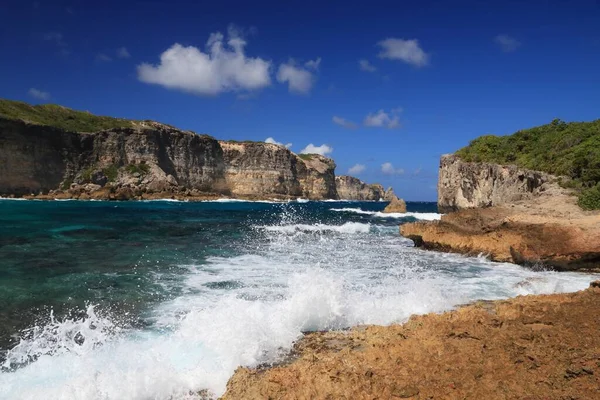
pixel 388 86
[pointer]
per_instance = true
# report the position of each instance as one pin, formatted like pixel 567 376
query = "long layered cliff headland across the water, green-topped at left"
pixel 51 152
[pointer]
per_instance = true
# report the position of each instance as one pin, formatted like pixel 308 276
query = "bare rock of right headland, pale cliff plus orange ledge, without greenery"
pixel 510 215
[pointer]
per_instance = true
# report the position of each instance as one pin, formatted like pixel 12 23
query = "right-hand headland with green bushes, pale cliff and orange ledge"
pixel 515 214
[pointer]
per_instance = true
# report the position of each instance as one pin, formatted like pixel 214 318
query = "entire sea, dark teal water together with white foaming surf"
pixel 160 300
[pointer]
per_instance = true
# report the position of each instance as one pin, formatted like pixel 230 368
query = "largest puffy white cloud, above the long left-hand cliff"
pixel 224 67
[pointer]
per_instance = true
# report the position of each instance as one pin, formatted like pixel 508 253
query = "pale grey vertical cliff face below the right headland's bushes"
pixel 475 185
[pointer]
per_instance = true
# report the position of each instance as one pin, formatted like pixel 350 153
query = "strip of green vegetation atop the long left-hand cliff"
pixel 60 117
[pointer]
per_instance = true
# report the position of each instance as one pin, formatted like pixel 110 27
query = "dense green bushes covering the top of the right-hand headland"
pixel 560 148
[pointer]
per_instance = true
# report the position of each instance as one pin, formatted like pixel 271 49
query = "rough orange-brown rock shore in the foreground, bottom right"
pixel 529 347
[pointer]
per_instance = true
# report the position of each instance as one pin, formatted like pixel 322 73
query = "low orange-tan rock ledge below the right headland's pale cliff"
pixel 548 230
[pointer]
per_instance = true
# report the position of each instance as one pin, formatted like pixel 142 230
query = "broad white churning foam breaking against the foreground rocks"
pixel 249 309
